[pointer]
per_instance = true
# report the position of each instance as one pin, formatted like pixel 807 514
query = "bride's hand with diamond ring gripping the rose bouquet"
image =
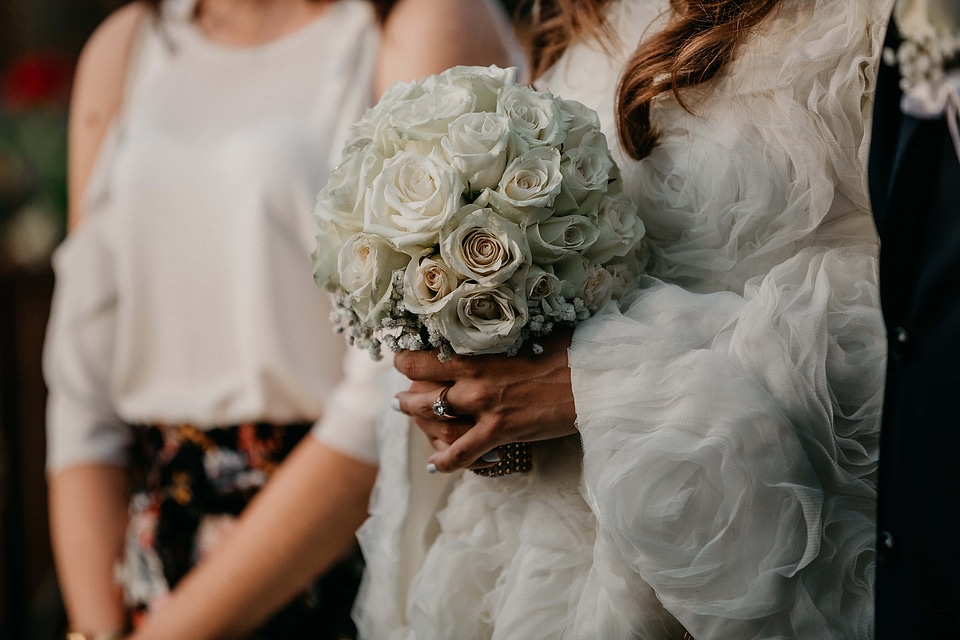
pixel 519 398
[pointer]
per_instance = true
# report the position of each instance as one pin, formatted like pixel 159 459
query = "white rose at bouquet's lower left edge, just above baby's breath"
pixel 366 264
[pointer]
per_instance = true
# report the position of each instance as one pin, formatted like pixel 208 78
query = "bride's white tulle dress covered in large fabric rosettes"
pixel 729 413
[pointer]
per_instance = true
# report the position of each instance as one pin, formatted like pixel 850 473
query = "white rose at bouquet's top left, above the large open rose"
pixel 420 124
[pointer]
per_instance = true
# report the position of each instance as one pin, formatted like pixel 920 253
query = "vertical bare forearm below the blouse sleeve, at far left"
pixel 88 516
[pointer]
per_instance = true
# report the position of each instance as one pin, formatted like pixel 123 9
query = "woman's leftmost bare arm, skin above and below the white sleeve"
pixel 88 503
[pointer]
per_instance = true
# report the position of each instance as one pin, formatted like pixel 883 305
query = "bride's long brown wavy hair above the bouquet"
pixel 701 37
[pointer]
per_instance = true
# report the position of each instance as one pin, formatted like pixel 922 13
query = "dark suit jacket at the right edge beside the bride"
pixel 915 189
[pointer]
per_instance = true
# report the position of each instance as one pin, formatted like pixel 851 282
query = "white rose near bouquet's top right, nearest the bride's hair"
pixel 535 116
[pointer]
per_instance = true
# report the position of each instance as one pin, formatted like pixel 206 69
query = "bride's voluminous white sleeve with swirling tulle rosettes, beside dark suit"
pixel 730 412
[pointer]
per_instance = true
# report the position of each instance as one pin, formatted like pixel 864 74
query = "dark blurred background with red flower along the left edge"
pixel 39 44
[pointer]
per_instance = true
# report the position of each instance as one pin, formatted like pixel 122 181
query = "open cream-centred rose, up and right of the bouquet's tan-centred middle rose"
pixel 532 180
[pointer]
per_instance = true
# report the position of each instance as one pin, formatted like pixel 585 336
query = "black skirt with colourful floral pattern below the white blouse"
pixel 189 485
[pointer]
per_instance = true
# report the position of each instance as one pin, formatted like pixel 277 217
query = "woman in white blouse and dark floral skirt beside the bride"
pixel 188 342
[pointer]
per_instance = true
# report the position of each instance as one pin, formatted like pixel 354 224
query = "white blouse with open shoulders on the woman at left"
pixel 186 295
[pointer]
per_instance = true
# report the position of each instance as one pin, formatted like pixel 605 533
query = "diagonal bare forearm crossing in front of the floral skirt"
pixel 299 525
